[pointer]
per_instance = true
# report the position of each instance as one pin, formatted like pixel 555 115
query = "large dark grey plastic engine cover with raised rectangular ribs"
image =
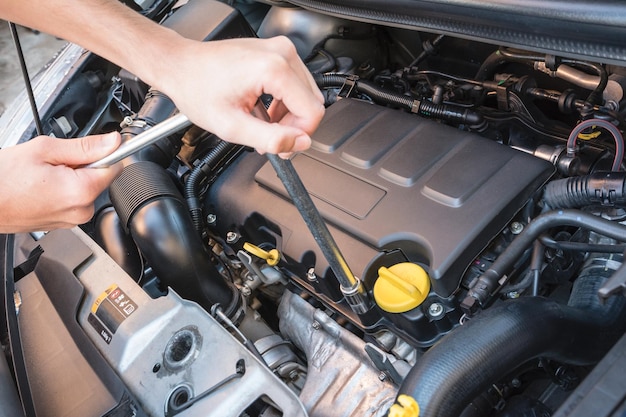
pixel 384 180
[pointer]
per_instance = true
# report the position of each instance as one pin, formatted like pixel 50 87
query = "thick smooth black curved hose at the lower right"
pixel 489 346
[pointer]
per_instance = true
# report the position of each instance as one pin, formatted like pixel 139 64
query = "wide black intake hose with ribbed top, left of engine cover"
pixel 152 209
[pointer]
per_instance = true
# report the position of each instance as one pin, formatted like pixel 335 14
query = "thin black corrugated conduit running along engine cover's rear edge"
pixel 447 112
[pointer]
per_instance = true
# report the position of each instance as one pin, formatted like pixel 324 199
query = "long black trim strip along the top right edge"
pixel 582 29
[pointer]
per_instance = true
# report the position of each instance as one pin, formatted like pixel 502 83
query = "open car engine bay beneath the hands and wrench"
pixel 471 176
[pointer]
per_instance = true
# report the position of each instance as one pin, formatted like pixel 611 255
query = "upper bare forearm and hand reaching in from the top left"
pixel 215 84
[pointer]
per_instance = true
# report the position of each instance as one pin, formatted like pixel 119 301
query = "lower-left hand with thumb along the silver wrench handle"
pixel 43 186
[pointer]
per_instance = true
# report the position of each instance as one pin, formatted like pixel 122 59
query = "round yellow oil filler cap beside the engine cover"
pixel 401 287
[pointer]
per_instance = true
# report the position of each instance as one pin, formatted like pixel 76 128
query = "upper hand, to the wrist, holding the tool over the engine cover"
pixel 216 84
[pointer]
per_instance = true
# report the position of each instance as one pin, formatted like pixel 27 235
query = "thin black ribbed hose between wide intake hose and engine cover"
pixel 192 186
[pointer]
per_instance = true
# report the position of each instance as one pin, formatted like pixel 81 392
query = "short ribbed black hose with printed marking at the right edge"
pixel 599 188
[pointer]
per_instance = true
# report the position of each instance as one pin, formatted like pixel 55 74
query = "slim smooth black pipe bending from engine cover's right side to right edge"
pixel 482 288
